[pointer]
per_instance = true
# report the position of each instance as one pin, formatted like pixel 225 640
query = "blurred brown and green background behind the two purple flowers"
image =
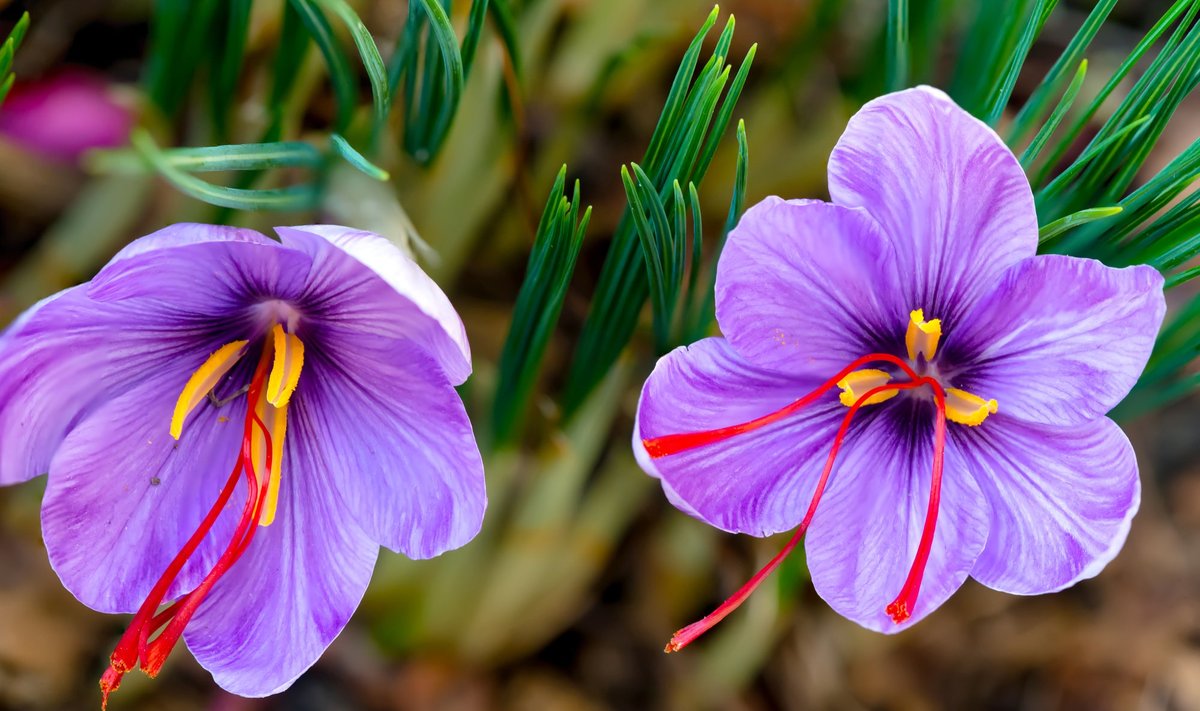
pixel 584 570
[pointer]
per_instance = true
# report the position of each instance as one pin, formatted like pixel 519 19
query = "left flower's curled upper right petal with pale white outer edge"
pixel 392 297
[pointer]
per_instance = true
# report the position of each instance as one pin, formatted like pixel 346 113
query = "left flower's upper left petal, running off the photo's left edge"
pixel 172 297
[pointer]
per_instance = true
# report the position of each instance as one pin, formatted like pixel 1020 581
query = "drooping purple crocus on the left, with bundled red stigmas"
pixel 232 427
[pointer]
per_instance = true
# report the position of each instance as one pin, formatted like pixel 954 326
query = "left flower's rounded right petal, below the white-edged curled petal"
pixel 397 444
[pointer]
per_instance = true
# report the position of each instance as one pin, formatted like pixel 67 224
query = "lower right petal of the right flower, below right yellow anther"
pixel 1061 498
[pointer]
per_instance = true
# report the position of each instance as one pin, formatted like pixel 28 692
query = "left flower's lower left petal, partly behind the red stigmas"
pixel 124 497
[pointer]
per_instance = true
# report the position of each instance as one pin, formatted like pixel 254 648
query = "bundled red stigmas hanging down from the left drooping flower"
pixel 136 644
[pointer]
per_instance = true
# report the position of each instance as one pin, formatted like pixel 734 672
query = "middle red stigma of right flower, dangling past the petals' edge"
pixel 688 635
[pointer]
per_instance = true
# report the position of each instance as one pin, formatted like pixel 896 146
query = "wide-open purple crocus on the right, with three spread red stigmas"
pixel 907 383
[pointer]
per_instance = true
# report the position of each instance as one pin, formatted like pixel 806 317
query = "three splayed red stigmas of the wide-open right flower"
pixel 899 610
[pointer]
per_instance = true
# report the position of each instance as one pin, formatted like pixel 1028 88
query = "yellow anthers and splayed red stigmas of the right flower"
pixel 860 387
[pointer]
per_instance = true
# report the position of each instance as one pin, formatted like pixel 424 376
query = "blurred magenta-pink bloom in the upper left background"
pixel 62 117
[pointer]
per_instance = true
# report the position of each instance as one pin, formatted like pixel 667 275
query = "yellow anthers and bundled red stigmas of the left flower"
pixel 260 458
